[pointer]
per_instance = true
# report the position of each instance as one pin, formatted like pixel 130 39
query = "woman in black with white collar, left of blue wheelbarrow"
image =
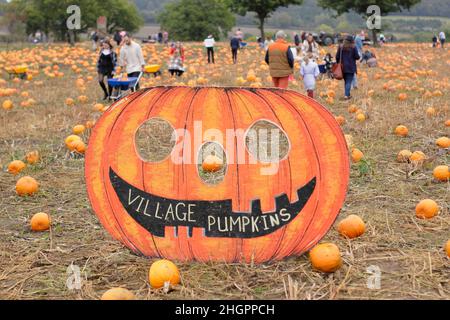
pixel 106 64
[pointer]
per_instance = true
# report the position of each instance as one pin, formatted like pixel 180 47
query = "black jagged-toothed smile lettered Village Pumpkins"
pixel 216 218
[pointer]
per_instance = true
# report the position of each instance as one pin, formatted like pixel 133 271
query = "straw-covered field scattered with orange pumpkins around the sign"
pixel 391 239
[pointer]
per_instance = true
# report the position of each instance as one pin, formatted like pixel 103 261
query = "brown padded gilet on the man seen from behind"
pixel 280 59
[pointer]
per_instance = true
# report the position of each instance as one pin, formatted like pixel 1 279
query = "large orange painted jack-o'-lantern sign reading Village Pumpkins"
pixel 262 208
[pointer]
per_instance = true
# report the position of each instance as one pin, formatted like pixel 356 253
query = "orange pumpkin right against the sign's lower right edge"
pixel 325 257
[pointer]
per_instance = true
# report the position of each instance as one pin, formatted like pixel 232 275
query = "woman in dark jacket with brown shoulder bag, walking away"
pixel 348 54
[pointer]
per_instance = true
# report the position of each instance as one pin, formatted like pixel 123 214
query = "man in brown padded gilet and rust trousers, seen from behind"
pixel 280 60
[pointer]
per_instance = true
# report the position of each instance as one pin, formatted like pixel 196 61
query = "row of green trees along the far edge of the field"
pixel 183 19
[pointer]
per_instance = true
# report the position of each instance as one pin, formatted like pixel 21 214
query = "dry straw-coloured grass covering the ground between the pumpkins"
pixel 408 251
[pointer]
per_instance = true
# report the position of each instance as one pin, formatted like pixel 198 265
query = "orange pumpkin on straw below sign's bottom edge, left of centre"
pixel 162 272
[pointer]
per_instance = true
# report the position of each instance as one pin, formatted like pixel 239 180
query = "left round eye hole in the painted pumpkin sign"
pixel 155 140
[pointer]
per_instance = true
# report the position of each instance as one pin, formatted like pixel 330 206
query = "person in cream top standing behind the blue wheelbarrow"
pixel 131 58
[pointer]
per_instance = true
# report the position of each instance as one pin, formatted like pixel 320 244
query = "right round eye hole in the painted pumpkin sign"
pixel 267 142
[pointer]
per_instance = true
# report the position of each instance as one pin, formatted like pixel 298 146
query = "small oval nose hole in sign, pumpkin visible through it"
pixel 212 163
